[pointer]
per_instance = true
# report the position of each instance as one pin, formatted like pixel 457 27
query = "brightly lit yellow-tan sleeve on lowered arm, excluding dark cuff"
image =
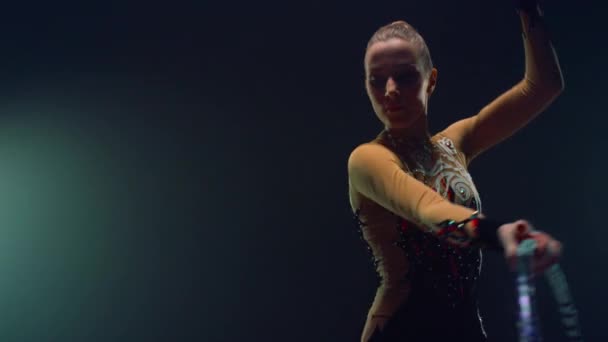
pixel 376 173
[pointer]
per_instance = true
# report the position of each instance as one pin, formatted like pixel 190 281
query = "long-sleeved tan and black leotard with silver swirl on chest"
pixel 400 190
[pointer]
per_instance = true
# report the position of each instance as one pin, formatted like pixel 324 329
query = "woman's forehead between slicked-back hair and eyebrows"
pixel 391 53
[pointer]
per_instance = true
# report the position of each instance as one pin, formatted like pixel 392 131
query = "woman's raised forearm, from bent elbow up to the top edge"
pixel 542 65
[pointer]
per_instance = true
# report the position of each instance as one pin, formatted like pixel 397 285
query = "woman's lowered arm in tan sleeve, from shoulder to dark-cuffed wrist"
pixel 376 173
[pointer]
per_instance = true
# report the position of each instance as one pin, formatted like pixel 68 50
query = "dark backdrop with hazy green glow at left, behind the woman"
pixel 177 172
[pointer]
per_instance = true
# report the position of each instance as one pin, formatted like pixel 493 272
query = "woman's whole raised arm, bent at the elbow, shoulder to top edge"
pixel 512 110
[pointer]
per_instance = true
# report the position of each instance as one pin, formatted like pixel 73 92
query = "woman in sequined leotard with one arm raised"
pixel 415 202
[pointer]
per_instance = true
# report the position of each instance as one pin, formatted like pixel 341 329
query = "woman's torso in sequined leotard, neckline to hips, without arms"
pixel 407 259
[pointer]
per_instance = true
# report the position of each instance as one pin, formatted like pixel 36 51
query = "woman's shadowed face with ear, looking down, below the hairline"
pixel 397 84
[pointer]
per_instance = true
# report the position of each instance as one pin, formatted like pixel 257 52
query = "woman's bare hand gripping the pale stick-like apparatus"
pixel 547 252
